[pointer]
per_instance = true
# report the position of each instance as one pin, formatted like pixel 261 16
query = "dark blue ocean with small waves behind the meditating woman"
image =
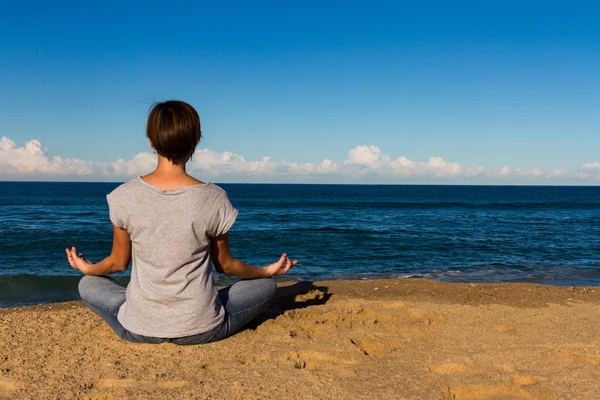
pixel 538 234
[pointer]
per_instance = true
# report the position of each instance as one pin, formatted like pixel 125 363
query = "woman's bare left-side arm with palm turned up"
pixel 117 261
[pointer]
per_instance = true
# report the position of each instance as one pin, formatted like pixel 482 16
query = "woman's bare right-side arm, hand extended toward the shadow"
pixel 225 263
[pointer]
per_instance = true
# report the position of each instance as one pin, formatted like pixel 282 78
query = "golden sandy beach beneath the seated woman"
pixel 376 339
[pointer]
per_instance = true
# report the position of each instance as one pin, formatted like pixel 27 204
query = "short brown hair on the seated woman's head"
pixel 174 130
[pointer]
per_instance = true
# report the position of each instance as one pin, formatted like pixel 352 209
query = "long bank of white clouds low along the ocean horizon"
pixel 364 164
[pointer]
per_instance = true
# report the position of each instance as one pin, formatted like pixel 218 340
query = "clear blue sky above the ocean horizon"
pixel 485 85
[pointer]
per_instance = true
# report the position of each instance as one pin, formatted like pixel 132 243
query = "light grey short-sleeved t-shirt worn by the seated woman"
pixel 172 292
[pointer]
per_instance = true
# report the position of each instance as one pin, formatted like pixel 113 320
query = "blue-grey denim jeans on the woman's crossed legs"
pixel 243 301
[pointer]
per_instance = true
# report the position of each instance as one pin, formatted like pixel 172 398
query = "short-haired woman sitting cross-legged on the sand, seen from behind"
pixel 173 228
